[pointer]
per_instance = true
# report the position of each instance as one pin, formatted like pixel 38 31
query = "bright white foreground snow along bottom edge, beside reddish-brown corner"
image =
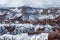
pixel 24 36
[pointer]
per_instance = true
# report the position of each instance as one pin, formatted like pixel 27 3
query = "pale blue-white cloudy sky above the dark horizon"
pixel 31 3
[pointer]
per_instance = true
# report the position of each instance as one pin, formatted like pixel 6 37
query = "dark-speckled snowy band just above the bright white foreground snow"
pixel 24 28
